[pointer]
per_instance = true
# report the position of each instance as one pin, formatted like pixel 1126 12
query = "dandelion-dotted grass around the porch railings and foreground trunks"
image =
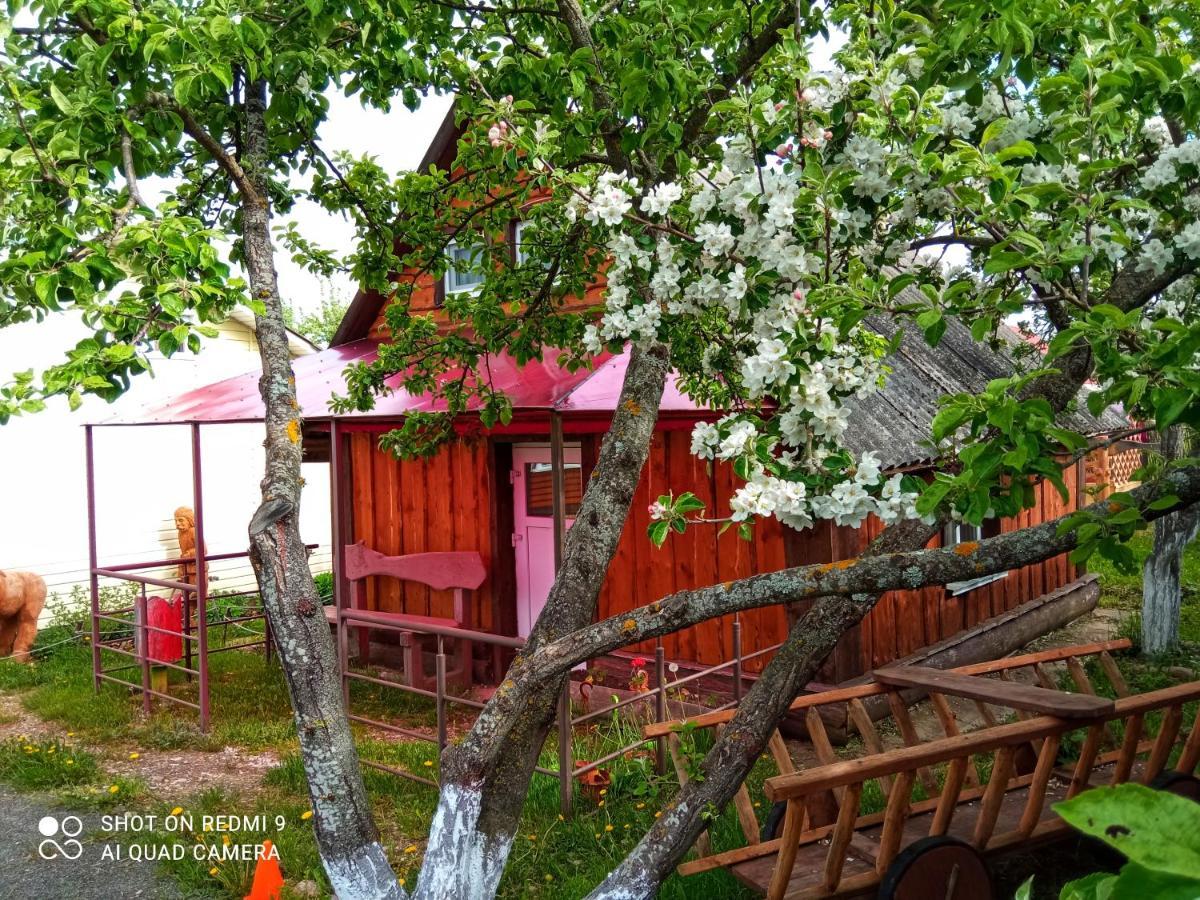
pixel 553 856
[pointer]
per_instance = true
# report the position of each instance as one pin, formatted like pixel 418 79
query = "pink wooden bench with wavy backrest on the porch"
pixel 458 572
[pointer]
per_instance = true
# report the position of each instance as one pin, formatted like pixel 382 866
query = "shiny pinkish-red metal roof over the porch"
pixel 538 386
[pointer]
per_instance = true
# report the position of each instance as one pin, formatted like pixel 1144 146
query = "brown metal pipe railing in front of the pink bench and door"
pixel 656 697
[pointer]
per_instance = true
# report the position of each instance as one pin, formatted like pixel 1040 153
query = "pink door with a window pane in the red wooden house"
pixel 533 525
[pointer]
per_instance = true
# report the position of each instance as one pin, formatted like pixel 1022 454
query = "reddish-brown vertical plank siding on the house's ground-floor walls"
pixel 445 505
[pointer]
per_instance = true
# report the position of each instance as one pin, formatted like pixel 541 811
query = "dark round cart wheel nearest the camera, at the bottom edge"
pixel 938 868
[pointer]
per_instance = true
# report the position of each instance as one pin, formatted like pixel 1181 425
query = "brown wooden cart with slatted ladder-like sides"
pixel 818 844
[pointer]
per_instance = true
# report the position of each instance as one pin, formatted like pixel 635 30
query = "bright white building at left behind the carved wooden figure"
pixel 143 475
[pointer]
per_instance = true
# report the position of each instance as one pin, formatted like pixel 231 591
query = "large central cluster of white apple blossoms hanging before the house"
pixel 745 268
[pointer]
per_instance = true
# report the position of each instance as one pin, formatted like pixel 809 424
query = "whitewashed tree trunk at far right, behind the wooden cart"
pixel 1162 591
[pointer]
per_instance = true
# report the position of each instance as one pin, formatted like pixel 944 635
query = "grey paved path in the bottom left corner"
pixel 26 875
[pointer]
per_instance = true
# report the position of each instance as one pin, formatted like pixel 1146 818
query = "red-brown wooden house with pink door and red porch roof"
pixel 489 491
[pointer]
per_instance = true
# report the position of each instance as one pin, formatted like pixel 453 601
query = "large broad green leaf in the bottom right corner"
pixel 1156 830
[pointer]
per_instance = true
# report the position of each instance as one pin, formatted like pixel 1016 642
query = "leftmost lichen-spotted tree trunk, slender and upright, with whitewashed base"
pixel 346 832
